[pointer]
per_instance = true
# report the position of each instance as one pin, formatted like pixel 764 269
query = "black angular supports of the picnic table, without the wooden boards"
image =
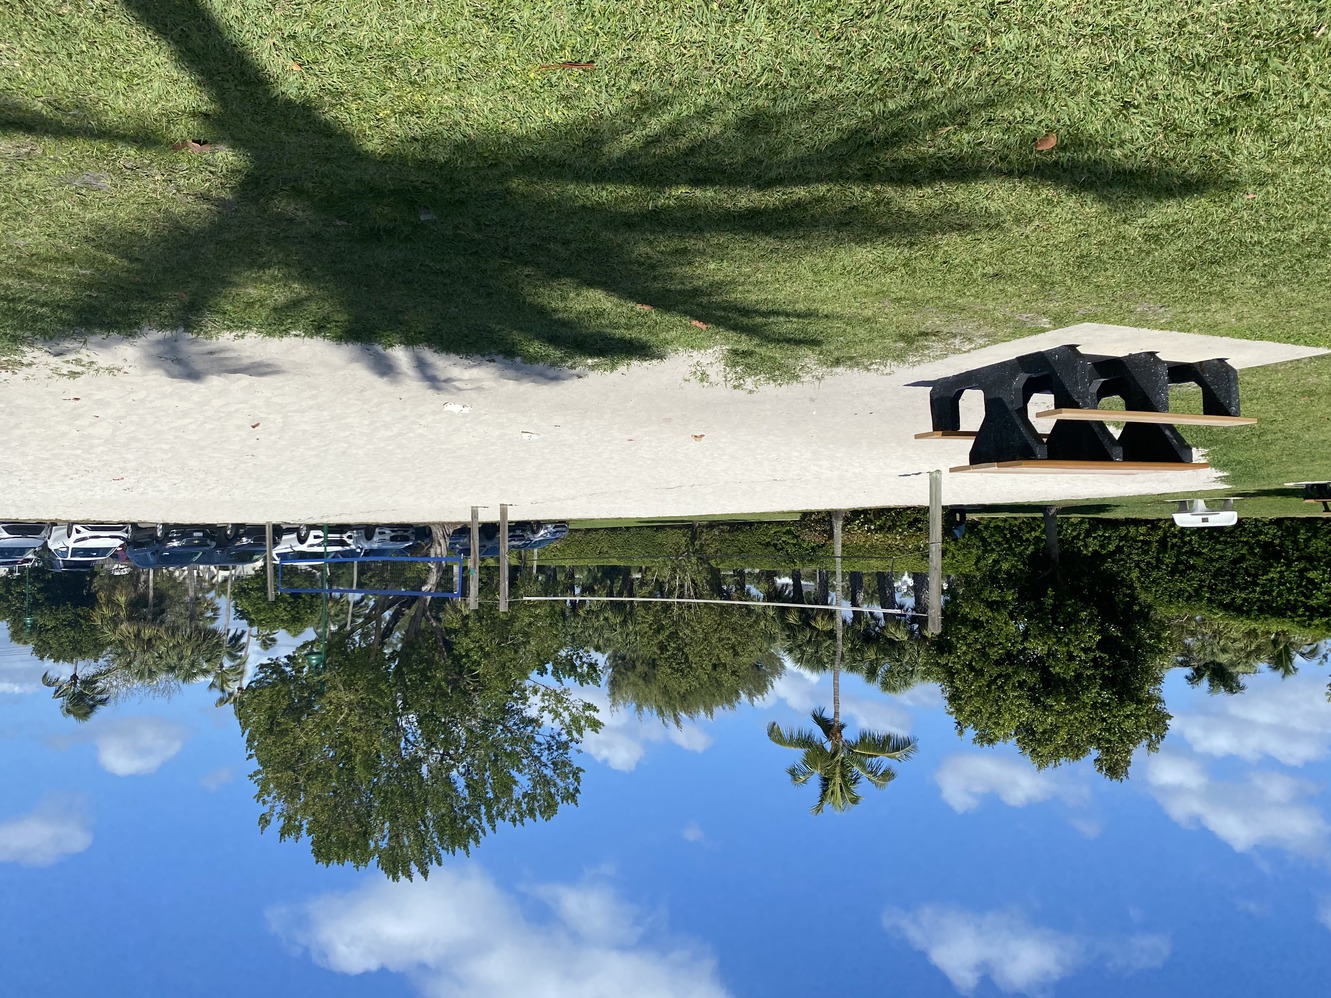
pixel 1080 383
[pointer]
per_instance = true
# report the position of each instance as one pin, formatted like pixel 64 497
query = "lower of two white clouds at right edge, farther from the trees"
pixel 1264 808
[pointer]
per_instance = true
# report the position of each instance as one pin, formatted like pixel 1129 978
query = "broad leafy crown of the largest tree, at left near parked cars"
pixel 425 731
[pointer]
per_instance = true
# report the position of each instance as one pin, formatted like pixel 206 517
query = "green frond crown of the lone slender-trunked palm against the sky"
pixel 842 763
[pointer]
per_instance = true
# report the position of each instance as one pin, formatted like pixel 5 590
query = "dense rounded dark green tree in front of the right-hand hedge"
pixel 1064 661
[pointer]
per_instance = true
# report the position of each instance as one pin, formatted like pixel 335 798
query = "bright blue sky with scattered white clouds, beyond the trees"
pixel 131 863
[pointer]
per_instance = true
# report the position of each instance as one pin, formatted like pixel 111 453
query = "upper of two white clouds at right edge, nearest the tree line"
pixel 1288 721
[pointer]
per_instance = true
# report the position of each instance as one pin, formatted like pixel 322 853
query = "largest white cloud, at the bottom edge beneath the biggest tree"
pixel 459 935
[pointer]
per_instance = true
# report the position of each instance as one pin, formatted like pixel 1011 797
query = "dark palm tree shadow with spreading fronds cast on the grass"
pixel 513 228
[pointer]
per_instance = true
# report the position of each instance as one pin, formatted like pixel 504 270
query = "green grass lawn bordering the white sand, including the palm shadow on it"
pixel 818 183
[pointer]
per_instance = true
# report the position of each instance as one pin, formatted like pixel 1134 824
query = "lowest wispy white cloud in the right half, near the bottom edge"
pixel 1018 956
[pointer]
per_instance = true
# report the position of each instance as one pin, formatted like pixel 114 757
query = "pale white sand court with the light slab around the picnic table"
pixel 172 429
